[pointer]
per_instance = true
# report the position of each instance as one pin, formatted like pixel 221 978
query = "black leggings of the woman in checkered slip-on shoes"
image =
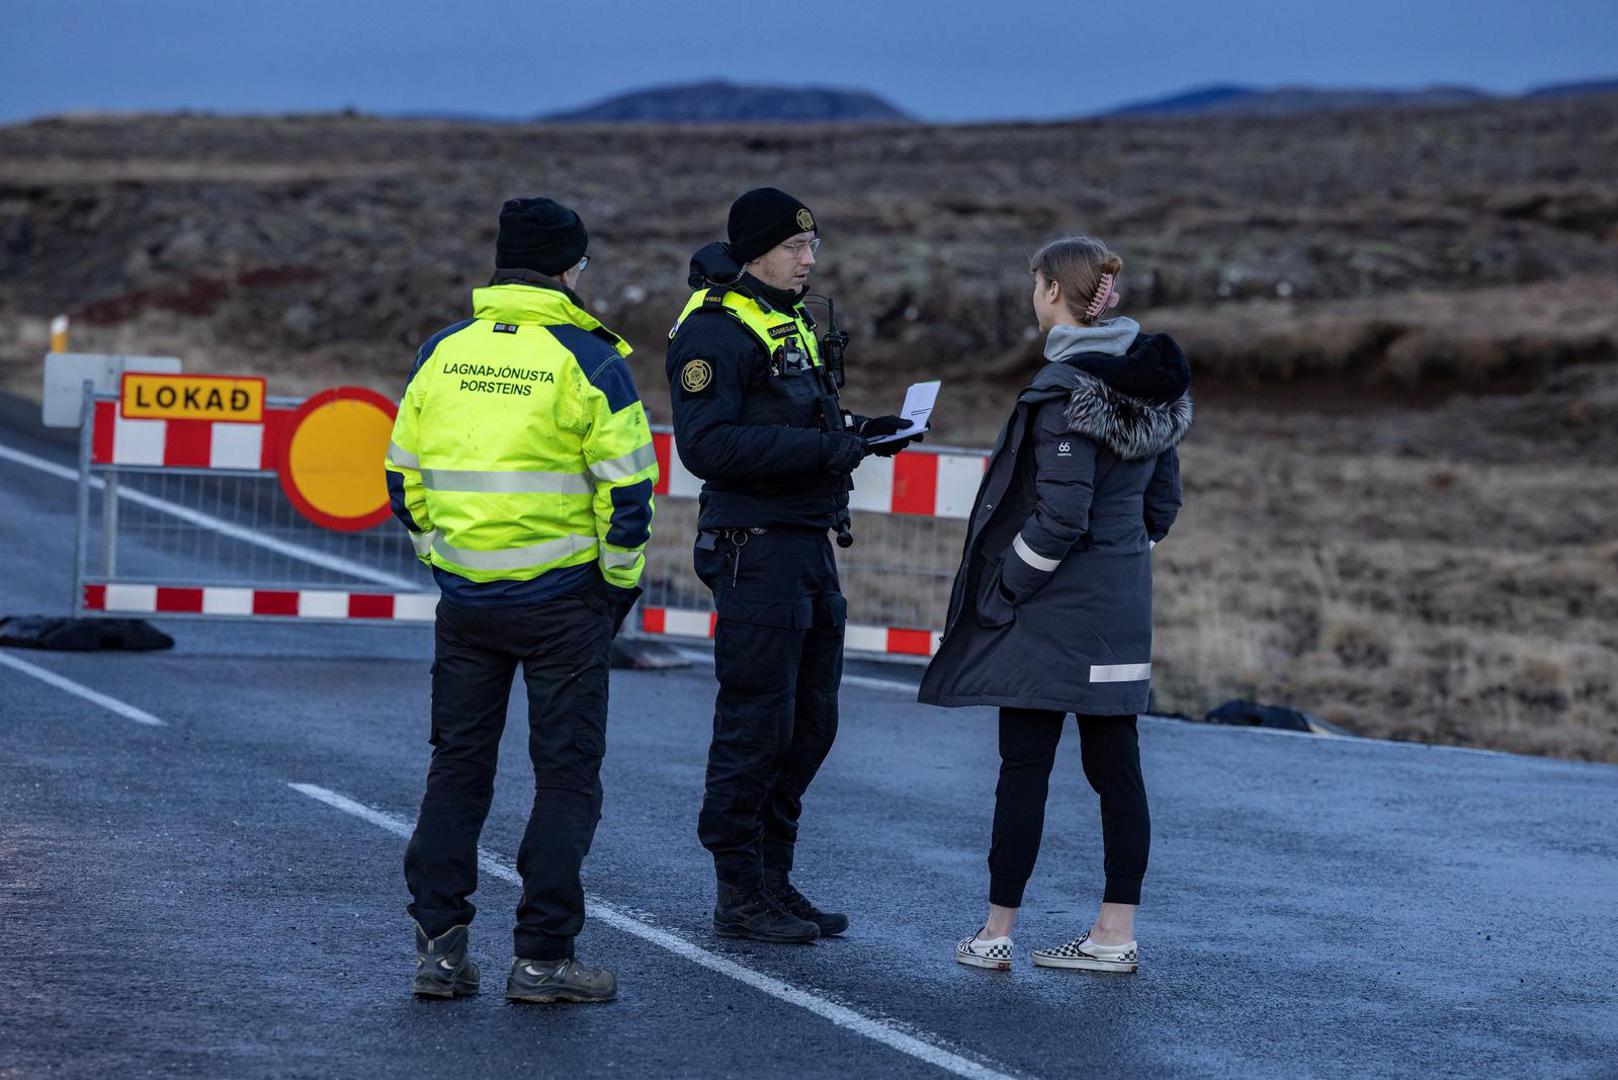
pixel 1112 765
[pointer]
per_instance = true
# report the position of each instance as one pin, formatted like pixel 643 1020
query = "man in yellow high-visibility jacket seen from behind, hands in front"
pixel 523 469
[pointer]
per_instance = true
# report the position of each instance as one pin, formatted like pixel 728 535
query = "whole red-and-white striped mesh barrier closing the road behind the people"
pixel 193 519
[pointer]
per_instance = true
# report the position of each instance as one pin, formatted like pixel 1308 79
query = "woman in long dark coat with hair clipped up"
pixel 1053 606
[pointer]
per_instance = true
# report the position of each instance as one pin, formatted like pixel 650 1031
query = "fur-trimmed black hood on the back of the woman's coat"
pixel 1137 406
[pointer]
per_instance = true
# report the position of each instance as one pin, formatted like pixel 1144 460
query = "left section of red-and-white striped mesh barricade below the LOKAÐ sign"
pixel 195 524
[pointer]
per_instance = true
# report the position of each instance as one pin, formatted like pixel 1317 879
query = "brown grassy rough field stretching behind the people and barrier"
pixel 1405 326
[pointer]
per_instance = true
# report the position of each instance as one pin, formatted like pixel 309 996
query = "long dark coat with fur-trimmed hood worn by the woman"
pixel 1053 606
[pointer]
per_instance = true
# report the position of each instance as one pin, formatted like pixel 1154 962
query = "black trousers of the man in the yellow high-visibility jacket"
pixel 562 648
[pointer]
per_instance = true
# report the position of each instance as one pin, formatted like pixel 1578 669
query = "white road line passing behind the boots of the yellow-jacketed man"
pixel 842 1016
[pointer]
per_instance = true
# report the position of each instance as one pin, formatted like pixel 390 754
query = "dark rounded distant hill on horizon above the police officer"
pixel 729 103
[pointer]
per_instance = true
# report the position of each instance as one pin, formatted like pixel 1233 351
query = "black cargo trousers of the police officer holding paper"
pixel 779 660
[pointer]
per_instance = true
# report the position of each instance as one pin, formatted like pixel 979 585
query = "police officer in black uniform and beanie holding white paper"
pixel 758 420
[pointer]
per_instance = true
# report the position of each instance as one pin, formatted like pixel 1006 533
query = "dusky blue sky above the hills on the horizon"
pixel 947 61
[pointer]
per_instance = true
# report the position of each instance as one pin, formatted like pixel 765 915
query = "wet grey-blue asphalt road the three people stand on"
pixel 172 906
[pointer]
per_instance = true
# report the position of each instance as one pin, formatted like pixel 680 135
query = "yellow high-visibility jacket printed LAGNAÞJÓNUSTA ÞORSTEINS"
pixel 522 451
